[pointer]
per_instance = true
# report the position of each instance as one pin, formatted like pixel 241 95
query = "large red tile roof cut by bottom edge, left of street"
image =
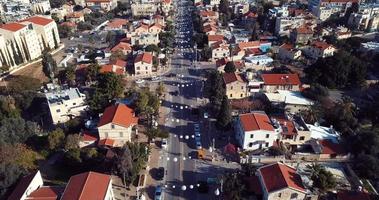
pixel 85 186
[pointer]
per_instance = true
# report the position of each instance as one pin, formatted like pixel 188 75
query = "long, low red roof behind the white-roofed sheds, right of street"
pixel 281 79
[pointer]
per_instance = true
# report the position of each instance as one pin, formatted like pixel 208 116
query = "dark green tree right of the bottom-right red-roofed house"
pixel 322 179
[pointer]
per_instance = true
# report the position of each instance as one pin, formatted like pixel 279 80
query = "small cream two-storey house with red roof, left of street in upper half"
pixel 143 64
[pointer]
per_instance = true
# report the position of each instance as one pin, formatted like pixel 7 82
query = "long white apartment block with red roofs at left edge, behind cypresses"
pixel 23 41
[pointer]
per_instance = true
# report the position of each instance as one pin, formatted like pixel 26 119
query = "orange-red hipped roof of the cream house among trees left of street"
pixel 119 114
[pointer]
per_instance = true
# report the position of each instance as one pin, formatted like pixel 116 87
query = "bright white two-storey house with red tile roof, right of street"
pixel 255 131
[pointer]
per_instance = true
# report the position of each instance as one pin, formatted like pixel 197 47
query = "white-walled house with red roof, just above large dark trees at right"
pixel 319 49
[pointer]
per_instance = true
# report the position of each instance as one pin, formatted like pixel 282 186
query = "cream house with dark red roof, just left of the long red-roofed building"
pixel 235 86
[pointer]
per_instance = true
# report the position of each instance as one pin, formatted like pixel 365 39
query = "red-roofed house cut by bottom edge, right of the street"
pixel 281 182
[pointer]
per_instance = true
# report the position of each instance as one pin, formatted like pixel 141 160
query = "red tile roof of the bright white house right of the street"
pixel 256 121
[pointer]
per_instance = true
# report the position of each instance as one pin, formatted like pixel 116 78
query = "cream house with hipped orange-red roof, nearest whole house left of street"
pixel 116 124
